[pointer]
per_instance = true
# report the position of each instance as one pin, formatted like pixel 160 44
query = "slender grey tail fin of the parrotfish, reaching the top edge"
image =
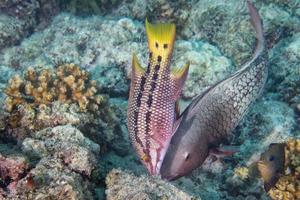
pixel 257 25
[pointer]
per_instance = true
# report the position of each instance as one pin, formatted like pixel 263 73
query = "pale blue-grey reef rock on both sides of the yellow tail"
pixel 104 47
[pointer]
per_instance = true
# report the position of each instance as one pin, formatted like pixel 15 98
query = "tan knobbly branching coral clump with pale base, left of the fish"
pixel 38 100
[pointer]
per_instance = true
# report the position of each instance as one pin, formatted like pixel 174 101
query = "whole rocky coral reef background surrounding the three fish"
pixel 64 82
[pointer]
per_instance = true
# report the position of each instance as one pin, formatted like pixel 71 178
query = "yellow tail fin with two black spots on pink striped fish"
pixel 161 38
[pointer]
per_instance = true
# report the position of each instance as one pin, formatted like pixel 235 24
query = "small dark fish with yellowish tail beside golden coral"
pixel 270 165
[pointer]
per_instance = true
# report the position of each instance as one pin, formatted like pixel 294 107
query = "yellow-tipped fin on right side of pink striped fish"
pixel 179 76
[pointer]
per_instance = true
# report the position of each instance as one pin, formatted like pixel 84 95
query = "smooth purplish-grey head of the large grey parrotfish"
pixel 183 155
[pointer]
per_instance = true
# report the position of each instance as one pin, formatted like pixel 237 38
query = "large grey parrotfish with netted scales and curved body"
pixel 212 116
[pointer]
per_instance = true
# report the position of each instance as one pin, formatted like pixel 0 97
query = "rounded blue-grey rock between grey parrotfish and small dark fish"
pixel 267 122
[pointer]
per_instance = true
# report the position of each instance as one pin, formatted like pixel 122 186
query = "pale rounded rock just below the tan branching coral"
pixel 65 143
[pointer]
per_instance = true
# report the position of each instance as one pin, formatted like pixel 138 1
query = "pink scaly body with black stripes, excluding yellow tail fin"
pixel 151 112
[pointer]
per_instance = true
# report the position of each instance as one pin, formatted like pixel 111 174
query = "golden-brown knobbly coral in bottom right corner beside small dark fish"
pixel 288 185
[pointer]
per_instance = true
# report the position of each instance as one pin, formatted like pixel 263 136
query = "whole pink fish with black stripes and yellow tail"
pixel 153 96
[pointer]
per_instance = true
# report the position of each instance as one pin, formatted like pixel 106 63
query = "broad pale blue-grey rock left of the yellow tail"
pixel 94 42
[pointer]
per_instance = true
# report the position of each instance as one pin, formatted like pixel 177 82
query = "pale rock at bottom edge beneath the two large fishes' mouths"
pixel 122 185
